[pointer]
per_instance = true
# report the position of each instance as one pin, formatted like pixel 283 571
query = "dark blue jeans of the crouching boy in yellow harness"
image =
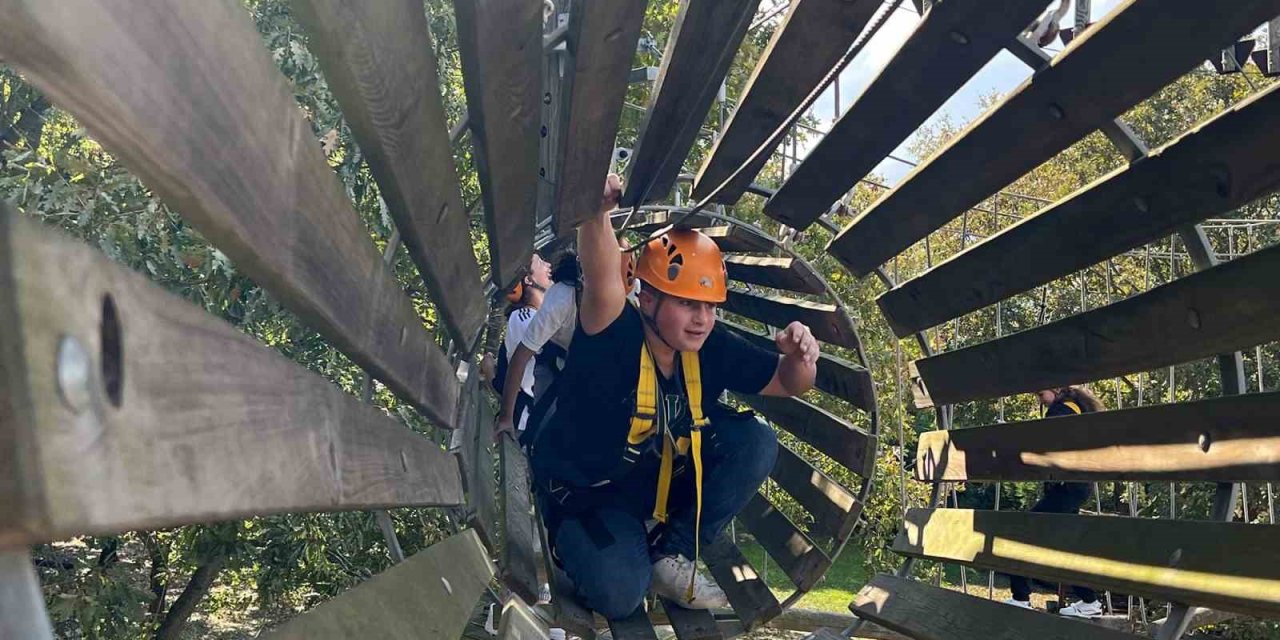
pixel 610 555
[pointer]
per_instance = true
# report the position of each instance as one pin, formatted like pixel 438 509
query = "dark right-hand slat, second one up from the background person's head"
pixel 1213 170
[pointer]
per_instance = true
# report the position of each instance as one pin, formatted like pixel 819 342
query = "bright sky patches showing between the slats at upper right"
pixel 1000 76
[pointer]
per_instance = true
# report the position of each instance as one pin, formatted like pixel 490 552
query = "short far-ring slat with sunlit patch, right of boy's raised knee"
pixel 835 510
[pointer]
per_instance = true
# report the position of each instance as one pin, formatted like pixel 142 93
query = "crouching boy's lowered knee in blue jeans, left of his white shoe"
pixel 606 554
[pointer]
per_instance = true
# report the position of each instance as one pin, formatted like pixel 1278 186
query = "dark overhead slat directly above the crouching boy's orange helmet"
pixel 701 48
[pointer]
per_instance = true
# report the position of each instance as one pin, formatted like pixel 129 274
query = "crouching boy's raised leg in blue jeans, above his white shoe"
pixel 738 456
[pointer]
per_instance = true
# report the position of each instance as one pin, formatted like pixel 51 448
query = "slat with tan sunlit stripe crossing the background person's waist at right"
pixel 1228 440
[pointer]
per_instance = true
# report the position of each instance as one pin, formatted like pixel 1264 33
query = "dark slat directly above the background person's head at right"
pixel 1218 310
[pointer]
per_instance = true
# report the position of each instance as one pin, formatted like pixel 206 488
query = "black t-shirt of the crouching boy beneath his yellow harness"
pixel 583 445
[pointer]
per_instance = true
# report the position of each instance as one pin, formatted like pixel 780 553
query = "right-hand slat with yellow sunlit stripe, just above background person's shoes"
pixel 1222 565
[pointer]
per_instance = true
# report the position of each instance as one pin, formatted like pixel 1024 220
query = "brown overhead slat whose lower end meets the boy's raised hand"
pixel 602 38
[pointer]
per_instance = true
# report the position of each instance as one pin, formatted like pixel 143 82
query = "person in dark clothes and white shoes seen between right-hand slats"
pixel 1063 499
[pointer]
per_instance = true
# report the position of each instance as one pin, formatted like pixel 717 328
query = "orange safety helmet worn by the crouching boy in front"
pixel 687 264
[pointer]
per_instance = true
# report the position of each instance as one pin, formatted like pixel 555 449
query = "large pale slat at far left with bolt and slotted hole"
pixel 176 417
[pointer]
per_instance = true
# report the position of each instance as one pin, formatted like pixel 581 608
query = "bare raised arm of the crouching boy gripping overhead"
pixel 598 252
